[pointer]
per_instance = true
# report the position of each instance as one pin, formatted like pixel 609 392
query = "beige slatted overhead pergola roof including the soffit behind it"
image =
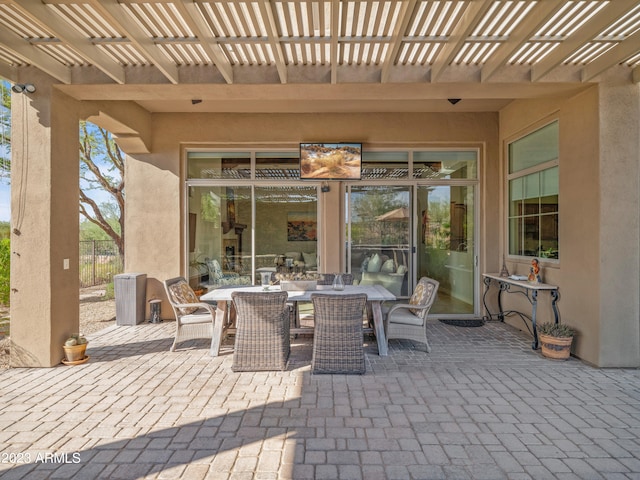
pixel 323 55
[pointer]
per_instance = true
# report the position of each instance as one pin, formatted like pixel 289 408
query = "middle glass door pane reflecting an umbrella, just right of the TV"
pixel 379 233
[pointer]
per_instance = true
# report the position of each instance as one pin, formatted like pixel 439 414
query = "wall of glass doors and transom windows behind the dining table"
pixel 412 214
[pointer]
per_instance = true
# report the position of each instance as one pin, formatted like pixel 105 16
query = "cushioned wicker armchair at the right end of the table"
pixel 409 320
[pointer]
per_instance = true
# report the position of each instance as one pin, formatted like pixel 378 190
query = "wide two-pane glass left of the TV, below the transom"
pixel 235 233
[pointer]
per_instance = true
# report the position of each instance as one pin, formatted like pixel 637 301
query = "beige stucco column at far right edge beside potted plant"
pixel 620 222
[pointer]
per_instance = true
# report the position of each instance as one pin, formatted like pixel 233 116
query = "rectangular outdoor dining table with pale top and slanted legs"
pixel 376 294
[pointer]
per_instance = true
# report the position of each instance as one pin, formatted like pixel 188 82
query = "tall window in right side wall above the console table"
pixel 533 194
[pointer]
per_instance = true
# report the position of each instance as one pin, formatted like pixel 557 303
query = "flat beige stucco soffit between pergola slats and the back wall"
pixel 396 97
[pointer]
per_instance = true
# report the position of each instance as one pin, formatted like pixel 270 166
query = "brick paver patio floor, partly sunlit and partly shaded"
pixel 481 405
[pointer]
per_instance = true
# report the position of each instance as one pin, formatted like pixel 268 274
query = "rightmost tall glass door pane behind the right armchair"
pixel 445 250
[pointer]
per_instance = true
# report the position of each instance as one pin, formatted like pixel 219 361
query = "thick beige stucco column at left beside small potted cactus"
pixel 44 221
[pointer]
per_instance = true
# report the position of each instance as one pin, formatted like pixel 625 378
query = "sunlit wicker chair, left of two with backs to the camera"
pixel 262 331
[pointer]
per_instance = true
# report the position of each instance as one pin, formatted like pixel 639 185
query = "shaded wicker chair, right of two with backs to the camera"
pixel 337 337
